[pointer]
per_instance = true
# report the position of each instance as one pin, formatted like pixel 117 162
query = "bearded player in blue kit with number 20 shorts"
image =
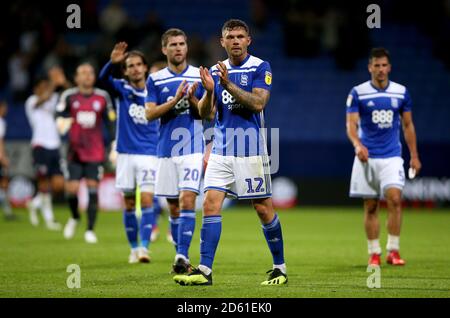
pixel 173 94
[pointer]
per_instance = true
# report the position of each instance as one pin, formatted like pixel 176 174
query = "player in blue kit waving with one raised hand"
pixel 136 139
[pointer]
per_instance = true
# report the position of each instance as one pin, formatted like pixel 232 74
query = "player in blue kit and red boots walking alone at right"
pixel 378 108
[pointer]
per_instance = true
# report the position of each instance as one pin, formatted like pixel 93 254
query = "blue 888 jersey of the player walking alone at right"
pixel 380 113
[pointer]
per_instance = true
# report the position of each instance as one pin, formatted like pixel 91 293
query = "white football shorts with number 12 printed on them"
pixel 239 177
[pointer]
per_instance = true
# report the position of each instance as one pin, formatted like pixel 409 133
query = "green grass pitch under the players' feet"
pixel 325 251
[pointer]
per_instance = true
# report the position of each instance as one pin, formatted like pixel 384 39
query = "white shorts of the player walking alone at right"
pixel 371 179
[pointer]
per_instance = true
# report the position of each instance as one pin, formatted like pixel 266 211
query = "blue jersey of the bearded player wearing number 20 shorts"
pixel 181 129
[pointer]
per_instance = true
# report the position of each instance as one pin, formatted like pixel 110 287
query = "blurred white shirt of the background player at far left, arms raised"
pixel 42 122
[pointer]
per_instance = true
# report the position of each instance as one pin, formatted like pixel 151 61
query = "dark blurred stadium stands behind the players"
pixel 318 52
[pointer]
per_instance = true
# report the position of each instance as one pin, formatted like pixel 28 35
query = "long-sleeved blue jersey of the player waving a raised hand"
pixel 134 134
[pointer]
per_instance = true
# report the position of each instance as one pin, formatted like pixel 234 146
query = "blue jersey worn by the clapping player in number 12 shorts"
pixel 237 130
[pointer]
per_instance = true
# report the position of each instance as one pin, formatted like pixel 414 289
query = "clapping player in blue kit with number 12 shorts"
pixel 237 91
